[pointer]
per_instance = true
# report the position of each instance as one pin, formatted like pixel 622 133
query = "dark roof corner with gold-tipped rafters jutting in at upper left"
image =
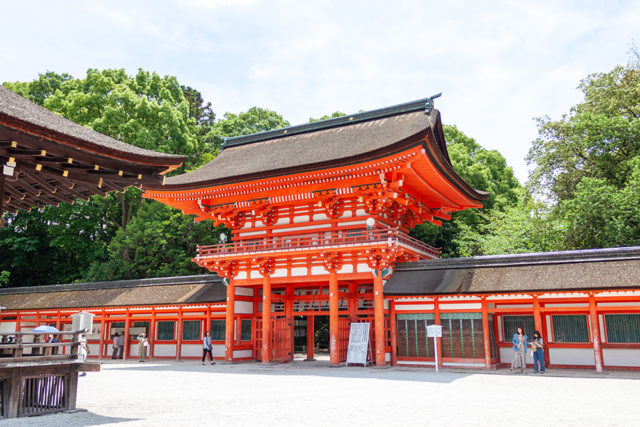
pixel 46 159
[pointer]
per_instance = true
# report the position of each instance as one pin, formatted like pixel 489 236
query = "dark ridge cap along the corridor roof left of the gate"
pixel 115 284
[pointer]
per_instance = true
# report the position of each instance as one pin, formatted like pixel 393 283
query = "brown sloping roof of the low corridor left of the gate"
pixel 157 291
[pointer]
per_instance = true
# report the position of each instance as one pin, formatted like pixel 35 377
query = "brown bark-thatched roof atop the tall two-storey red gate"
pixel 327 144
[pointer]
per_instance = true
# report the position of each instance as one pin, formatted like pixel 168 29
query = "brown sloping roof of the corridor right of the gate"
pixel 554 271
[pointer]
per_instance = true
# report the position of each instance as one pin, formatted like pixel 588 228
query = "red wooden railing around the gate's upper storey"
pixel 354 237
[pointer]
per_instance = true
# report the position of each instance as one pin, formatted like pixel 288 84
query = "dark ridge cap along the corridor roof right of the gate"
pixel 536 258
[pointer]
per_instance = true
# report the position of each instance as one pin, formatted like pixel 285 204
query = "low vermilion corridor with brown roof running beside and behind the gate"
pixel 478 301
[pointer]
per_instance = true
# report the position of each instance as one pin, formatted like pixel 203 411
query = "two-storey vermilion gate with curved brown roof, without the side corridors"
pixel 298 200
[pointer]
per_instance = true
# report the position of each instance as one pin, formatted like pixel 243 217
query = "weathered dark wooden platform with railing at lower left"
pixel 43 382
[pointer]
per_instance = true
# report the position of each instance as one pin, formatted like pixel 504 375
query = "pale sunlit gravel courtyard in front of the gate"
pixel 302 393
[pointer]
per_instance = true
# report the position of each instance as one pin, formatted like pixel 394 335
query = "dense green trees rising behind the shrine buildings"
pixel 583 192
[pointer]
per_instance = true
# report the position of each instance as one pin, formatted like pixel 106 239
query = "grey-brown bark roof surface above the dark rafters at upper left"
pixel 21 111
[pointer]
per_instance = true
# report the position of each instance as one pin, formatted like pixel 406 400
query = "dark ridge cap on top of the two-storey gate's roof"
pixel 349 119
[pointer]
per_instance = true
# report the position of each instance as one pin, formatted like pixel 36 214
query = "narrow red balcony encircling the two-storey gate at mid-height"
pixel 354 240
